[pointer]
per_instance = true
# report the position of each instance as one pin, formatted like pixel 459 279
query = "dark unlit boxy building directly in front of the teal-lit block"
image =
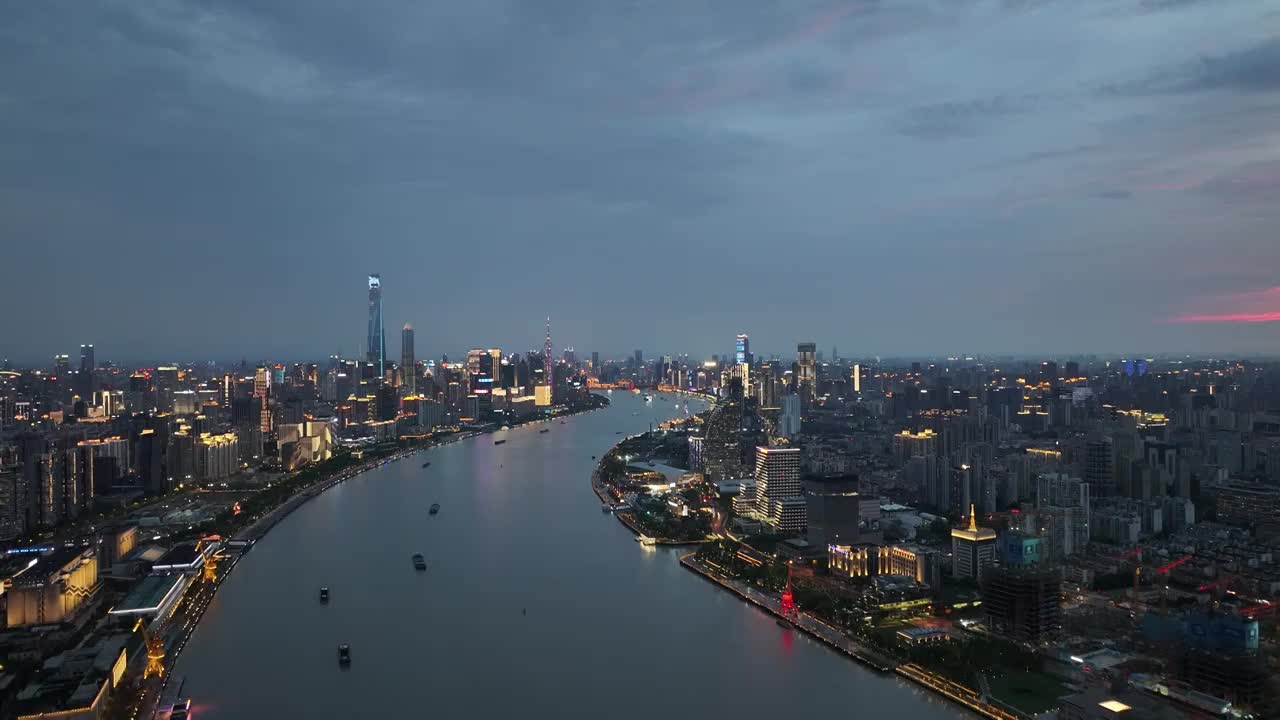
pixel 1023 604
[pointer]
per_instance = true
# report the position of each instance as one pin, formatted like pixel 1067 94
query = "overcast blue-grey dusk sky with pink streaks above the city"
pixel 189 180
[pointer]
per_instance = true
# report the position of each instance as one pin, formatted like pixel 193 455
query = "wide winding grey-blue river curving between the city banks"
pixel 536 604
